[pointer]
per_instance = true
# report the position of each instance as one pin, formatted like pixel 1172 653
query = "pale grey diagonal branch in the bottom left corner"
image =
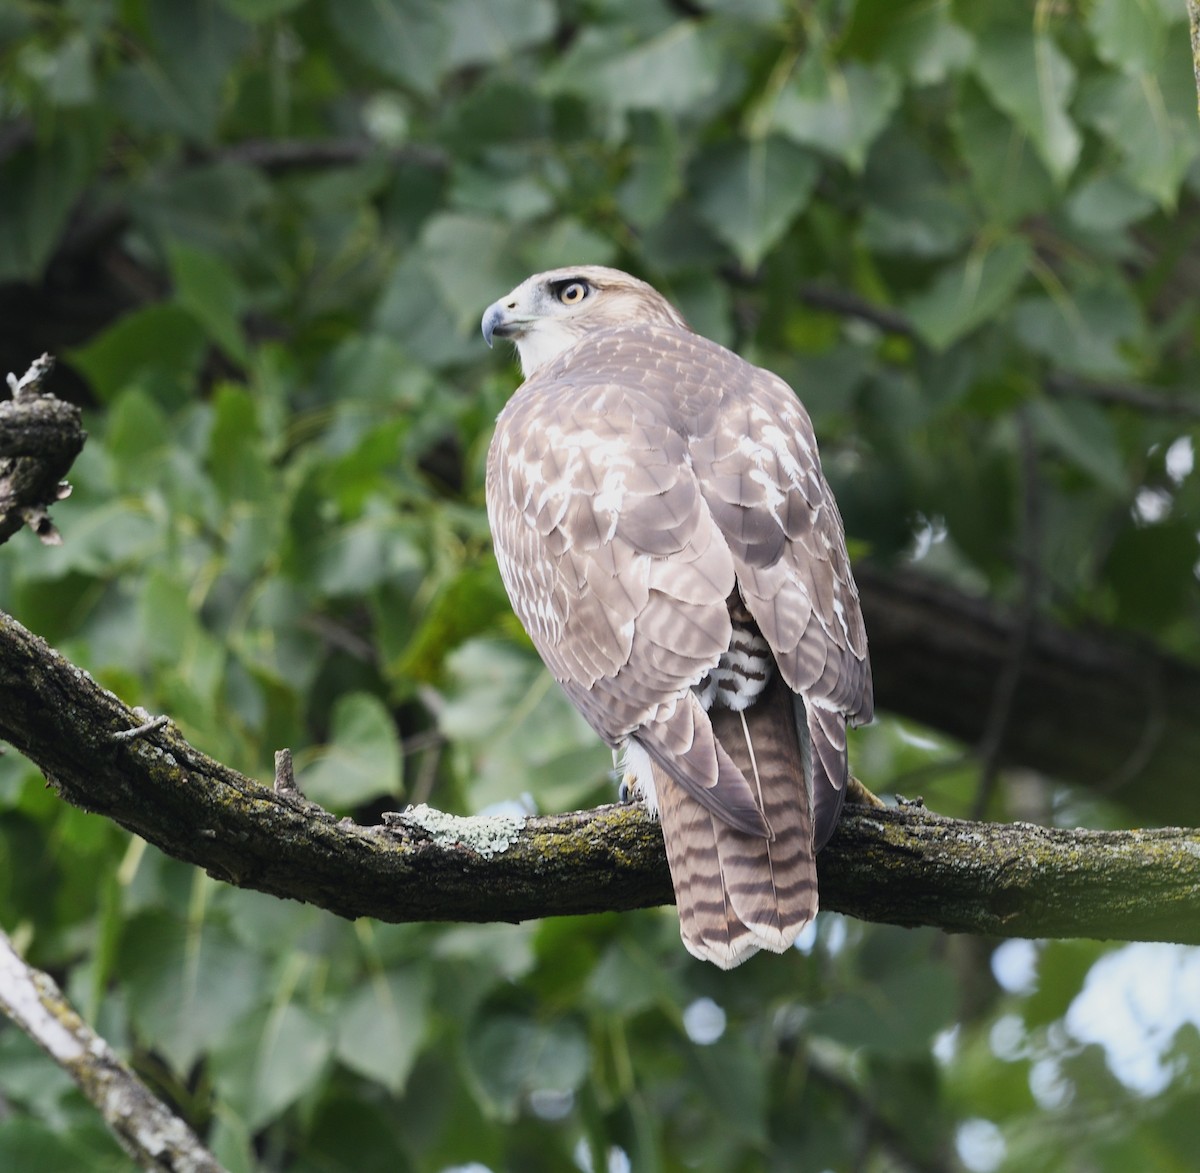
pixel 147 1129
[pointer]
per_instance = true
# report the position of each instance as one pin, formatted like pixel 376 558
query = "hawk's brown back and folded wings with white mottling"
pixel 632 483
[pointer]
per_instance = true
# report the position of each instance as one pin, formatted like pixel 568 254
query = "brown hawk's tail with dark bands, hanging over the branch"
pixel 739 893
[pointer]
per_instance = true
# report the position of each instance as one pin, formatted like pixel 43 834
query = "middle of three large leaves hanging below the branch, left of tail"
pixel 383 1026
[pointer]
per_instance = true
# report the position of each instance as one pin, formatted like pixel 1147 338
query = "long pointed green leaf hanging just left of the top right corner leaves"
pixel 1033 82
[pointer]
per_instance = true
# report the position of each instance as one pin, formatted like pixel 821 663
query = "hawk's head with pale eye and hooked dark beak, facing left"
pixel 550 312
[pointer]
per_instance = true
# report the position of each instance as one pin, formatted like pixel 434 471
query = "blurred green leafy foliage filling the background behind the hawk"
pixel 260 236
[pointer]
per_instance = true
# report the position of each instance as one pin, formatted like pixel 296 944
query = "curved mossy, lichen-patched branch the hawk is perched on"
pixel 903 868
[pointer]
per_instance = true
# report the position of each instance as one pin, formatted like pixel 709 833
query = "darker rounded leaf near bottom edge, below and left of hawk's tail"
pixel 512 1057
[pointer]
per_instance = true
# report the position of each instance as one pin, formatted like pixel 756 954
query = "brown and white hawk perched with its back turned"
pixel 668 539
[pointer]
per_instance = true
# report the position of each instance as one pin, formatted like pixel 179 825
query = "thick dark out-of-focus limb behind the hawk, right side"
pixel 1099 709
